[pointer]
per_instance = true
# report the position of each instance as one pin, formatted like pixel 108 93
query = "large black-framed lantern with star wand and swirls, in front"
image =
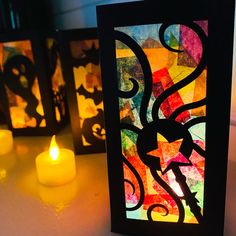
pixel 165 70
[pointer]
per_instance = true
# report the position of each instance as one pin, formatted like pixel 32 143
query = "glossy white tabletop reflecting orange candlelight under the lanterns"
pixel 80 208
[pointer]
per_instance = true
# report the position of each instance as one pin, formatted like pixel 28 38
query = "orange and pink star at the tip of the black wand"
pixel 168 153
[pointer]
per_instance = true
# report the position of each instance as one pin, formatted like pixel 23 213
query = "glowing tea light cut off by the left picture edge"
pixel 6 141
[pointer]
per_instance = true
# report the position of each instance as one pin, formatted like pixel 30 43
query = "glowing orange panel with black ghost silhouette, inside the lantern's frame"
pixel 23 91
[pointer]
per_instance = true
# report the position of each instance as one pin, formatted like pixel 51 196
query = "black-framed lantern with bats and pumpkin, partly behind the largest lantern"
pixel 81 69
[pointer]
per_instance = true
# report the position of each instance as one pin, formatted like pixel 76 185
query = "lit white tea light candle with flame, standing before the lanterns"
pixel 56 166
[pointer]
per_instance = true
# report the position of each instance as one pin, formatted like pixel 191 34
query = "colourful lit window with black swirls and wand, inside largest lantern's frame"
pixel 163 121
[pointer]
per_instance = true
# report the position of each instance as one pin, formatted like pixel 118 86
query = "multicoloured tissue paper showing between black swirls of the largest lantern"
pixel 168 68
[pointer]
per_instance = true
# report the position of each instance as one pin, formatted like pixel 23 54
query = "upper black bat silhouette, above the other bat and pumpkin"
pixel 90 56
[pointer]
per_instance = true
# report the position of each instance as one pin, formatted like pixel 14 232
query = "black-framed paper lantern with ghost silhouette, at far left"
pixel 35 99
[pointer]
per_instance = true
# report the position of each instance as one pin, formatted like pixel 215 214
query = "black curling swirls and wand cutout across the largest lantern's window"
pixel 147 126
